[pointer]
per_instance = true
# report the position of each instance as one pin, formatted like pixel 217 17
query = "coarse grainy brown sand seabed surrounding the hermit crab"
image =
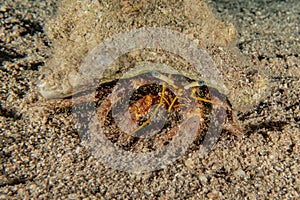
pixel 42 156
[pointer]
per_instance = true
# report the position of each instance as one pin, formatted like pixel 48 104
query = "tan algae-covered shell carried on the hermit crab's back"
pixel 79 30
